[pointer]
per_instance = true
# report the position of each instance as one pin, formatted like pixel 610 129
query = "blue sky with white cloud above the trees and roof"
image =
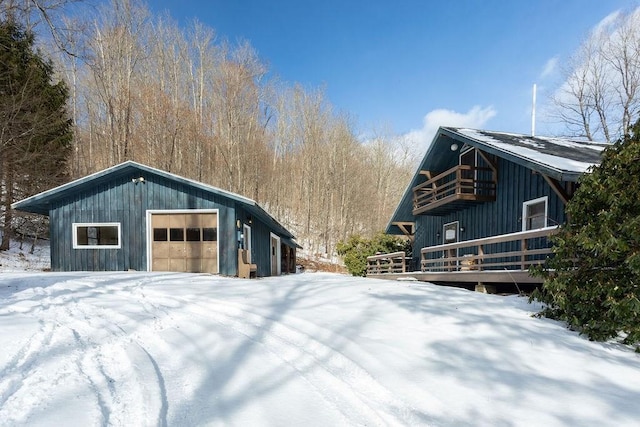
pixel 406 66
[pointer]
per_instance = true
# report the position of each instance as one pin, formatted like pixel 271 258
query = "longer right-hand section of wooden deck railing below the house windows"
pixel 515 251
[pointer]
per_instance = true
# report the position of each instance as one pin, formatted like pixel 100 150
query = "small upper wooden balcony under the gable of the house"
pixel 461 183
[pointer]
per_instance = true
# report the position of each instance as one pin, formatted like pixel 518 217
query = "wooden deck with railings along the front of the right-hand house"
pixel 498 259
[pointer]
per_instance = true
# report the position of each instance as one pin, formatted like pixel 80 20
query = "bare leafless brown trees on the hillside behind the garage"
pixel 186 101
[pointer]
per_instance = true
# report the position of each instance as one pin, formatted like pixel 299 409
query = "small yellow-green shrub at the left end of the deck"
pixel 356 249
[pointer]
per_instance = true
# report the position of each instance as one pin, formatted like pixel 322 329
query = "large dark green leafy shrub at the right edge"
pixel 593 281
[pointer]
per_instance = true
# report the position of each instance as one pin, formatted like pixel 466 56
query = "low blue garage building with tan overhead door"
pixel 134 217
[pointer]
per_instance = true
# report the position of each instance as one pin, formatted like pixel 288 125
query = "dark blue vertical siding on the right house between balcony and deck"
pixel 516 184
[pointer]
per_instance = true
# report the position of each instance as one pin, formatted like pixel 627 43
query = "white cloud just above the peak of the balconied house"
pixel 474 118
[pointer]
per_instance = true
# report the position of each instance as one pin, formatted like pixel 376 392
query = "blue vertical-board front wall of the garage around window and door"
pixel 125 202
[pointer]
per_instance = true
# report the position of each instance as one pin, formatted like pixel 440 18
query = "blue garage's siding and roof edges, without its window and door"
pixel 116 195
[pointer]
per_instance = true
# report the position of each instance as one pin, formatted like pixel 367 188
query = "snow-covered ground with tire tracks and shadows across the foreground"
pixel 313 349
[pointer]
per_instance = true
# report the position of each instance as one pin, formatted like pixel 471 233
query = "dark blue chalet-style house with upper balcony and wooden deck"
pixel 482 204
